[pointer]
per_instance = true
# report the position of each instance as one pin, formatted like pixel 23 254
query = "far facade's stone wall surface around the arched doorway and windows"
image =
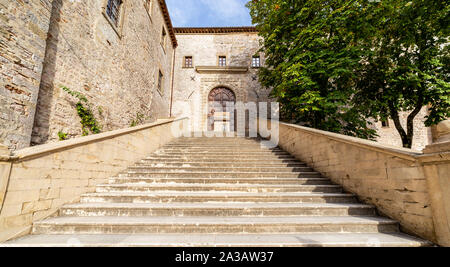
pixel 191 87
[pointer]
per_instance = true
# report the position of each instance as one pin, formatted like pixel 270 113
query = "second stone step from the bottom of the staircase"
pixel 171 224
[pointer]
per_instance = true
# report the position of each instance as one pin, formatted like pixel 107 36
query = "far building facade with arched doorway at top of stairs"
pixel 216 65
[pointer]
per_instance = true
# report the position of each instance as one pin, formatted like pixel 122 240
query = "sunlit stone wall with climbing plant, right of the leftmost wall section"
pixel 116 68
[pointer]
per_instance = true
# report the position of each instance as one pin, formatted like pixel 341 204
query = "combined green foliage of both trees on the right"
pixel 326 60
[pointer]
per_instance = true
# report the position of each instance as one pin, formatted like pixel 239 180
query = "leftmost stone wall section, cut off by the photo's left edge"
pixel 23 34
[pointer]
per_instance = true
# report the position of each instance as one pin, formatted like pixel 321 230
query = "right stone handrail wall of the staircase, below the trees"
pixel 409 186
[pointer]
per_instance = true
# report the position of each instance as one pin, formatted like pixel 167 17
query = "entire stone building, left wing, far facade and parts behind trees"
pixel 130 64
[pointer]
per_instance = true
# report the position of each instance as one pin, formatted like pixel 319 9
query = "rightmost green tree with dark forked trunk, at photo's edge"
pixel 408 64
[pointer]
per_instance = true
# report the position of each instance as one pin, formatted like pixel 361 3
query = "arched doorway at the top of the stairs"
pixel 219 118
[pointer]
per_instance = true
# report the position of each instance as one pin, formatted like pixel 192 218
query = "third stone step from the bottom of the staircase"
pixel 216 209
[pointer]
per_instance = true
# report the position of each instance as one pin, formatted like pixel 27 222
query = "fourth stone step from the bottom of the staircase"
pixel 202 196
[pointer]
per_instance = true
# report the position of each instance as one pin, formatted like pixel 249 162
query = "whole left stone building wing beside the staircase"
pixel 117 53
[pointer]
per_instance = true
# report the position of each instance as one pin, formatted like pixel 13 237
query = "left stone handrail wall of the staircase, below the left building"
pixel 35 182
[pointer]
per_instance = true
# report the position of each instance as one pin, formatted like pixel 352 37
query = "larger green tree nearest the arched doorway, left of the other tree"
pixel 312 52
